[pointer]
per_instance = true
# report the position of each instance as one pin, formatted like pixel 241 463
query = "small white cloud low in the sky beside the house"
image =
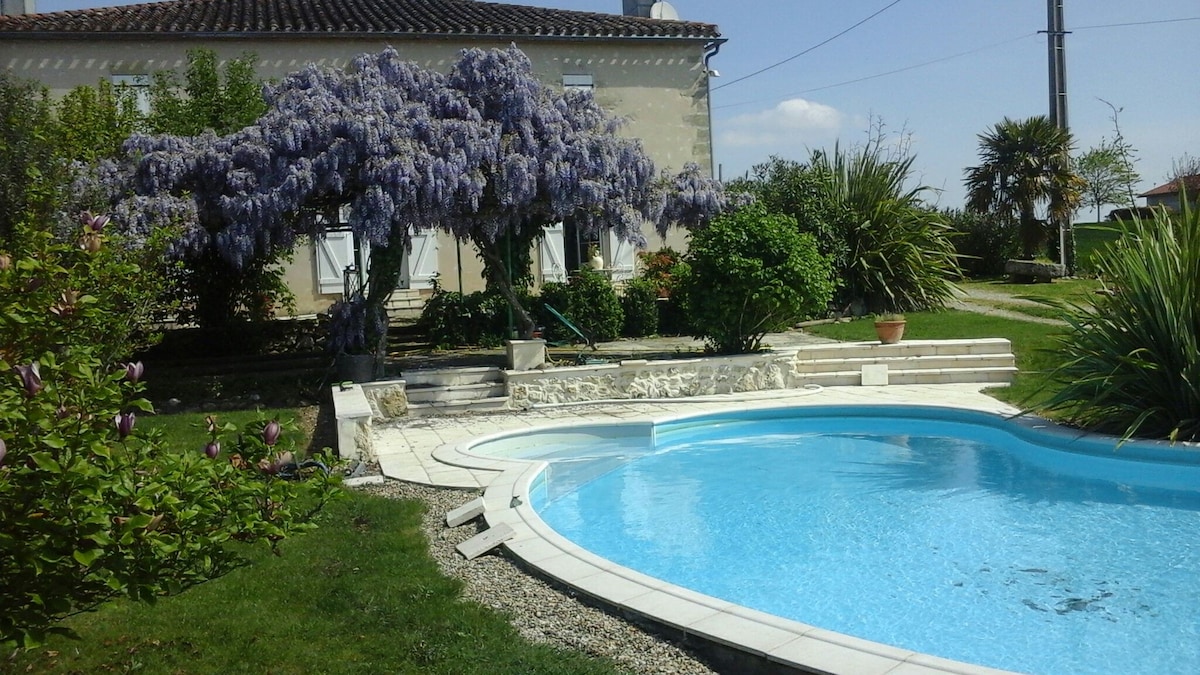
pixel 790 123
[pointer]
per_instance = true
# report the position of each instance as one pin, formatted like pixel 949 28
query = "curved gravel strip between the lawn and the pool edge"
pixel 539 612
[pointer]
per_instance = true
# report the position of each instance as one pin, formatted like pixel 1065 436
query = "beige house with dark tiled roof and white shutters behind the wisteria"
pixel 652 73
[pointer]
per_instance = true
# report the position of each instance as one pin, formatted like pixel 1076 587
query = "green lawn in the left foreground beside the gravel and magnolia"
pixel 359 595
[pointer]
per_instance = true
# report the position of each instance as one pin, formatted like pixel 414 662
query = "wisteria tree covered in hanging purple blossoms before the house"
pixel 485 152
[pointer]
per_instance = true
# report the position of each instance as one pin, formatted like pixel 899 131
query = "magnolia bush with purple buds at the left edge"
pixel 92 507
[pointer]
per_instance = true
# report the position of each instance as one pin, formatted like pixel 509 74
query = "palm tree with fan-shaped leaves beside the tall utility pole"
pixel 1025 164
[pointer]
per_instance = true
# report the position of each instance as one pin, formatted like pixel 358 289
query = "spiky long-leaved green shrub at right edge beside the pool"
pixel 1132 361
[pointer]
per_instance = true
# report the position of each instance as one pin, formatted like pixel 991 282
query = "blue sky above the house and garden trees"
pixel 938 74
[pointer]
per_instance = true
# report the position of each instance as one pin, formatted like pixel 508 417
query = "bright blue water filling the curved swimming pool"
pixel 951 534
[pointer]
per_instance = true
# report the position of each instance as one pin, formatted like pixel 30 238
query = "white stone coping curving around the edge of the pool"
pixel 783 642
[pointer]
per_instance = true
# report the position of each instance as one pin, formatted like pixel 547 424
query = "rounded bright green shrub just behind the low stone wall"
pixel 752 273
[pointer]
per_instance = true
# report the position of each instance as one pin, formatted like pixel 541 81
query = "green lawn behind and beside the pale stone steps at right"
pixel 1033 345
